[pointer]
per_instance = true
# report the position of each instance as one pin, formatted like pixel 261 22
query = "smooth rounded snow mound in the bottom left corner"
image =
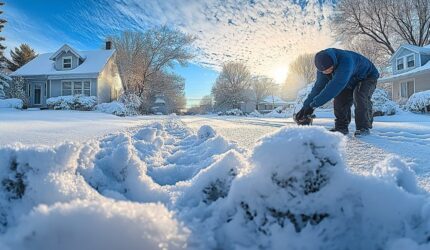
pixel 98 225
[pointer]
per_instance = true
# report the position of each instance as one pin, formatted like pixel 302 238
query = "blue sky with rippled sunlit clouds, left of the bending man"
pixel 264 34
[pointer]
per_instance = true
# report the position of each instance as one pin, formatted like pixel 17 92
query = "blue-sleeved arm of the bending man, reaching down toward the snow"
pixel 340 79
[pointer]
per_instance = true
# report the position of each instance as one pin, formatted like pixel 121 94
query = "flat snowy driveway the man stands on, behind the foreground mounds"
pixel 404 135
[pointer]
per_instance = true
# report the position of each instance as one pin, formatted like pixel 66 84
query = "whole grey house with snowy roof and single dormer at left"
pixel 71 72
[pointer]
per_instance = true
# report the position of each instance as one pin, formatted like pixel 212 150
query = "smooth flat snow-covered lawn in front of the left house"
pixel 50 127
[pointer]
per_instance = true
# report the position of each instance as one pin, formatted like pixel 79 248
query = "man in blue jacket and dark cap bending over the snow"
pixel 349 78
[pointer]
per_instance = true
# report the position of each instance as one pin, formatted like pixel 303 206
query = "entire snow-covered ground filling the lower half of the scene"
pixel 209 182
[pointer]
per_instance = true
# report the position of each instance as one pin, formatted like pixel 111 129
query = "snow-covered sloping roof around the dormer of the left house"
pixel 94 63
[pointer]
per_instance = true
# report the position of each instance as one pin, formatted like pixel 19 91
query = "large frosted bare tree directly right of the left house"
pixel 140 56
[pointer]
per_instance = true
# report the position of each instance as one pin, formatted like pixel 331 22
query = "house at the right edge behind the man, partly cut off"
pixel 410 72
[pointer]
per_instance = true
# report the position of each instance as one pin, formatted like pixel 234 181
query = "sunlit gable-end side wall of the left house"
pixel 109 83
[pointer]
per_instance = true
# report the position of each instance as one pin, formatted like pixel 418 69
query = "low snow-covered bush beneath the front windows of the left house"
pixel 79 102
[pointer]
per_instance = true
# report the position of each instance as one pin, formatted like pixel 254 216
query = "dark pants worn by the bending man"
pixel 361 97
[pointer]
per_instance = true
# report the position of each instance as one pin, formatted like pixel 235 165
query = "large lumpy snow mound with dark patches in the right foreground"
pixel 297 192
